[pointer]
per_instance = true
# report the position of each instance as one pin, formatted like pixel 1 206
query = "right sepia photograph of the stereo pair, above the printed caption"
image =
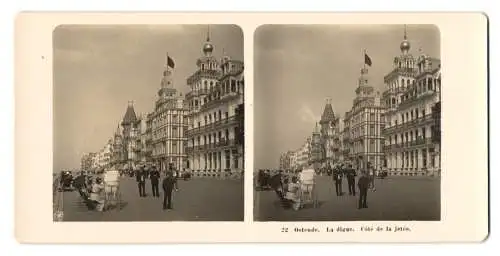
pixel 347 123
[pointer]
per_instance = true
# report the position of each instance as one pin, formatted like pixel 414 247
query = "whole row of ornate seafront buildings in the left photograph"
pixel 202 131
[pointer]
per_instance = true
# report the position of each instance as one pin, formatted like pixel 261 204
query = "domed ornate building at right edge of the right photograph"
pixel 413 116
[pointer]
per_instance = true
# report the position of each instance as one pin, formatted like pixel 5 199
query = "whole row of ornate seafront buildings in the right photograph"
pixel 397 131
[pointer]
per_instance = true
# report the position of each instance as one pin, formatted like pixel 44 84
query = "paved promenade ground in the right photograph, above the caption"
pixel 395 198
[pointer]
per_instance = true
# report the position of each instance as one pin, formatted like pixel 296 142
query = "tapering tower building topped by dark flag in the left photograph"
pixel 165 127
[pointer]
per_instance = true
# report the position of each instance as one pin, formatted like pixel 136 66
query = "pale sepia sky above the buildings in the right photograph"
pixel 297 67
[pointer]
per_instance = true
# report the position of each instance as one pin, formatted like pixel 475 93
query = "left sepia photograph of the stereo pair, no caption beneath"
pixel 148 123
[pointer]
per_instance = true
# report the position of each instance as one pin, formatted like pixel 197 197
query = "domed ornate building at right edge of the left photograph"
pixel 216 127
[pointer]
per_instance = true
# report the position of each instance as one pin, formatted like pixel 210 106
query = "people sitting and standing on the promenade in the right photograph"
pixel 286 186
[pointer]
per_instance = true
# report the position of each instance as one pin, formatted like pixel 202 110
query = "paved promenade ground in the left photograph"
pixel 201 199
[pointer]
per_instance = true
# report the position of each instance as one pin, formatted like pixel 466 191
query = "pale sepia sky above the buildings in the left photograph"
pixel 99 69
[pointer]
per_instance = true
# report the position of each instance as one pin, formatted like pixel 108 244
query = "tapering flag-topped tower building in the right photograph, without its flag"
pixel 363 125
